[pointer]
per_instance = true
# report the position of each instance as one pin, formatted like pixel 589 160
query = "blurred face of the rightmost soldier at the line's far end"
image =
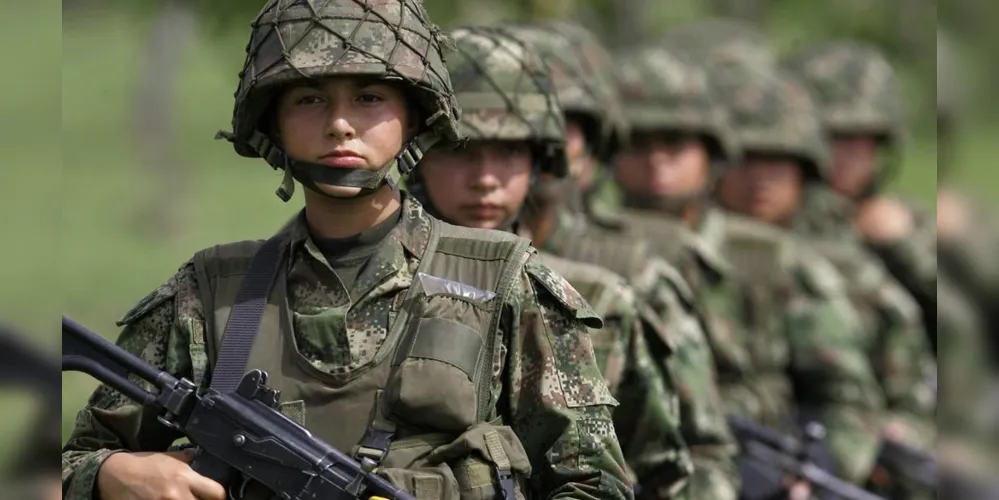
pixel 855 159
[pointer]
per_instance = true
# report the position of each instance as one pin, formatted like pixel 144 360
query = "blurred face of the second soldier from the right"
pixel 772 187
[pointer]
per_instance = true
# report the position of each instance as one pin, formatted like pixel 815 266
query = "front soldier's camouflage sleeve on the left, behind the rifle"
pixel 111 422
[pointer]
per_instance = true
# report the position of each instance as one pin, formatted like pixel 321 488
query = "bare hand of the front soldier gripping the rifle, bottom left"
pixel 155 476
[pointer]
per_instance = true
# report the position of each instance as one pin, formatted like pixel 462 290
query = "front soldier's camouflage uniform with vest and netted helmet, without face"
pixel 540 408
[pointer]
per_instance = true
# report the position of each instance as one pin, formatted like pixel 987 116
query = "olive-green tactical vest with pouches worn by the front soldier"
pixel 419 409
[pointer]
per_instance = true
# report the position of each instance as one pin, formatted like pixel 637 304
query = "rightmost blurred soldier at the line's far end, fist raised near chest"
pixel 857 93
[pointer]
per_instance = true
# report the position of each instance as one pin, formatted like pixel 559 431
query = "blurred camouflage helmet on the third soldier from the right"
pixel 661 90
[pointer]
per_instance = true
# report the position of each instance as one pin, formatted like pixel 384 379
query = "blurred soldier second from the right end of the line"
pixel 777 126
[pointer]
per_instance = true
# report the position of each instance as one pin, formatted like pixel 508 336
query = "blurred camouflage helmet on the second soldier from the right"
pixel 772 112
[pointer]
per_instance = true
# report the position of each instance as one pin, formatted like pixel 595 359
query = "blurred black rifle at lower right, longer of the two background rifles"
pixel 792 456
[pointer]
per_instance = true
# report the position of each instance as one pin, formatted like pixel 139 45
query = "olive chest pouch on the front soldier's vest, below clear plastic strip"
pixel 433 385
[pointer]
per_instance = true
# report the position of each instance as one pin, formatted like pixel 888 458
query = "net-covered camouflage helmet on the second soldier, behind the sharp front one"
pixel 505 91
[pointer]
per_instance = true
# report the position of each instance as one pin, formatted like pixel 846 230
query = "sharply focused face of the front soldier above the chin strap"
pixel 343 122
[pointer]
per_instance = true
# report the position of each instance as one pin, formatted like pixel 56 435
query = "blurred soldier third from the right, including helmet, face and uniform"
pixel 797 356
